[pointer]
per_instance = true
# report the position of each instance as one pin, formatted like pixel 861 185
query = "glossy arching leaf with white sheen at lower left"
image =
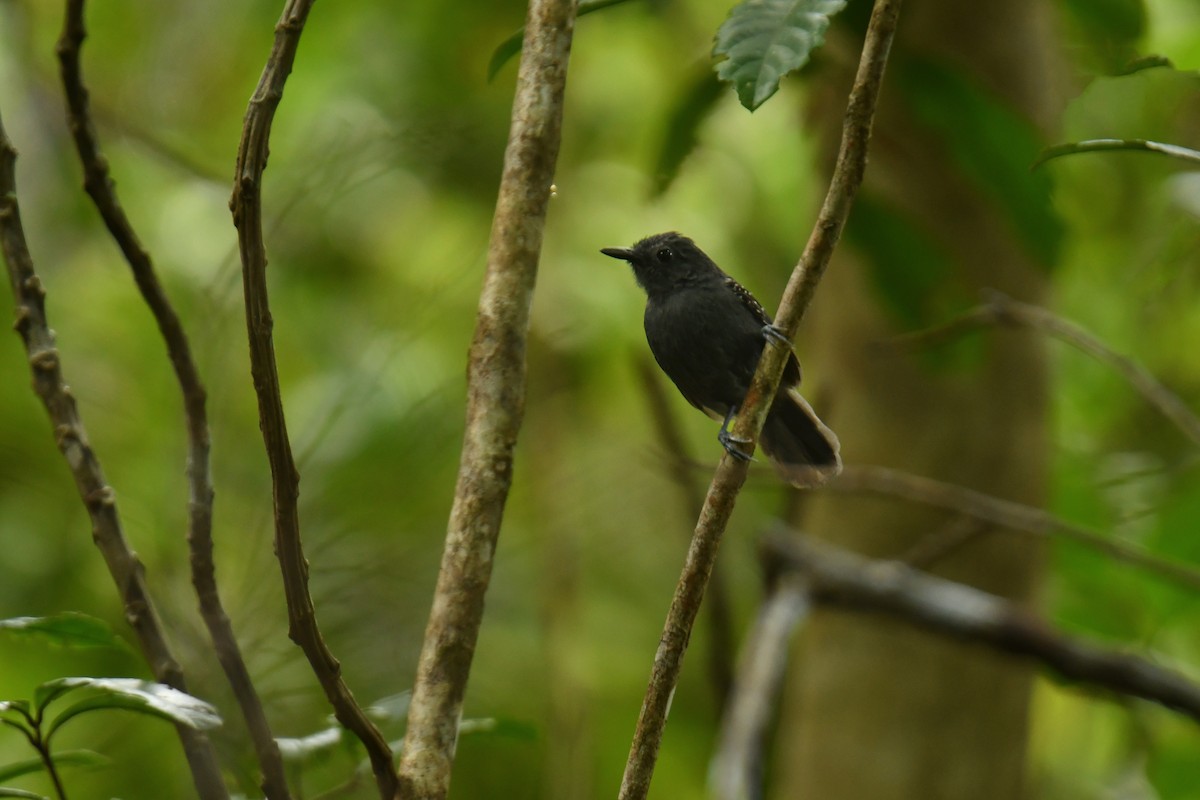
pixel 131 695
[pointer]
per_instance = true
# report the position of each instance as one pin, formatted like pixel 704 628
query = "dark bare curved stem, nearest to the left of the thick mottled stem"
pixel 248 215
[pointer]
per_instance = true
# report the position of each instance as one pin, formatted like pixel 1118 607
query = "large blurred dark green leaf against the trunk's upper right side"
pixel 993 147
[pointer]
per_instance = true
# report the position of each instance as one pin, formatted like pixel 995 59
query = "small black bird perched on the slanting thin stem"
pixel 707 334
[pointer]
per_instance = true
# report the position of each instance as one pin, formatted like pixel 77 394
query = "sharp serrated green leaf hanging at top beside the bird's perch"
pixel 765 40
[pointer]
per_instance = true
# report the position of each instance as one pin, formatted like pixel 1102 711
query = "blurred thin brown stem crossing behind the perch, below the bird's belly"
pixel 721 618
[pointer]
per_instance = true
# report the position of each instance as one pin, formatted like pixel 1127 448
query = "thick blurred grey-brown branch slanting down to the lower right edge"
pixel 967 613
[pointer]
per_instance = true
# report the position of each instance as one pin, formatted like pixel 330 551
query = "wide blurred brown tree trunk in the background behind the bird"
pixel 877 709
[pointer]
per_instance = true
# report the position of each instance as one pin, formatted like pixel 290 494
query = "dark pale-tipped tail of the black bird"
pixel 805 452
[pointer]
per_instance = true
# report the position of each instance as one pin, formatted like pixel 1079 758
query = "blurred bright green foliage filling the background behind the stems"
pixel 385 166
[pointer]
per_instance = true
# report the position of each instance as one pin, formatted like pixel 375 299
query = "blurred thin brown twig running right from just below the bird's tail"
pixel 1006 514
